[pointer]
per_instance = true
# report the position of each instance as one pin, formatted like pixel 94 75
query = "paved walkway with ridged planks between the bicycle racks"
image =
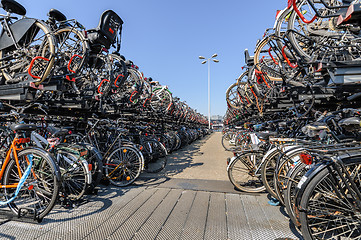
pixel 192 199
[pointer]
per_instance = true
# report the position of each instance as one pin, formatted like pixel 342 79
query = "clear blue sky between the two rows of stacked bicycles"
pixel 165 37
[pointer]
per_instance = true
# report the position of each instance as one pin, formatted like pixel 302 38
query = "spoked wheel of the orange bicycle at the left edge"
pixel 40 191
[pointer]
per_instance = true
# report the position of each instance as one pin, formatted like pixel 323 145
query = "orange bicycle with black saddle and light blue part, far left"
pixel 29 177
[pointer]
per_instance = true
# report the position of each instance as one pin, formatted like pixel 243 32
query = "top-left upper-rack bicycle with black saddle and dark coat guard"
pixel 28 47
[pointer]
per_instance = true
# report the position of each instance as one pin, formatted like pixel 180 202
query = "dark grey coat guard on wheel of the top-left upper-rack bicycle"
pixel 19 29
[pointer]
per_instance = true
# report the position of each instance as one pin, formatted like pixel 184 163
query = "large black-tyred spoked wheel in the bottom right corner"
pixel 320 202
